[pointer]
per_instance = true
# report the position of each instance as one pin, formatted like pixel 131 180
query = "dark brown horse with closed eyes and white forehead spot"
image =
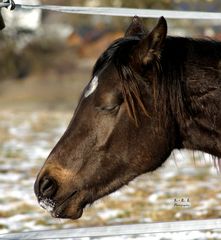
pixel 149 94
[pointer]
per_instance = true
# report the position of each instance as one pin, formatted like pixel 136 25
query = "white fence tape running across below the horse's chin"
pixel 120 230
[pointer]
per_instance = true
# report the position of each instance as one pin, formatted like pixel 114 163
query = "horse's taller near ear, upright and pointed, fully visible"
pixel 150 47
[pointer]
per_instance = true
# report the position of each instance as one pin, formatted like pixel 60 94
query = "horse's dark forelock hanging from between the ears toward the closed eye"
pixel 119 53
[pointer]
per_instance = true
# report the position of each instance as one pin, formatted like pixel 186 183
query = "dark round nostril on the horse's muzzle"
pixel 48 187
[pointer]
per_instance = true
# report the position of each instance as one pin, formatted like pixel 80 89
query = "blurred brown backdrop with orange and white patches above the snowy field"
pixel 60 49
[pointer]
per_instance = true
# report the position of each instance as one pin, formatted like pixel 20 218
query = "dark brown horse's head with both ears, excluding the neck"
pixel 117 131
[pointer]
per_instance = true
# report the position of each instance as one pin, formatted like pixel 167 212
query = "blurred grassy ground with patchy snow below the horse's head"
pixel 27 138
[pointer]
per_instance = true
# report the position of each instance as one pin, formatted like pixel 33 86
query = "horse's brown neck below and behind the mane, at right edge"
pixel 202 128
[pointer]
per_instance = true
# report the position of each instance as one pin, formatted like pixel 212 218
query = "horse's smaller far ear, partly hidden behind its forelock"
pixel 136 27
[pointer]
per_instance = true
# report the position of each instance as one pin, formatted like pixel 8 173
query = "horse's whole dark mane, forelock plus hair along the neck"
pixel 168 80
